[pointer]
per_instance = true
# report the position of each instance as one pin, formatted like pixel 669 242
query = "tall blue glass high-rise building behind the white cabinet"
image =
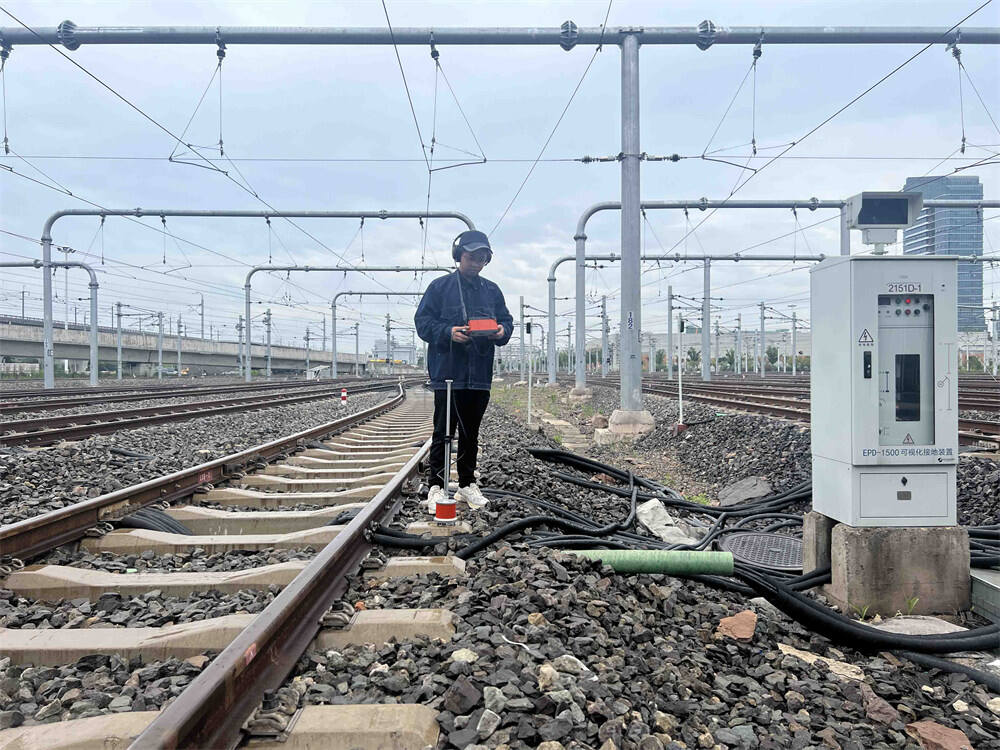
pixel 952 231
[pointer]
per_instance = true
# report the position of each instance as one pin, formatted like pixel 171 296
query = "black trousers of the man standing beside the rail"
pixel 467 409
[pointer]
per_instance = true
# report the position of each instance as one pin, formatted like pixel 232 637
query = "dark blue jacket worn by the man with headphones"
pixel 469 365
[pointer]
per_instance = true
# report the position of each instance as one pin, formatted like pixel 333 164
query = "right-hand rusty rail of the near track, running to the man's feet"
pixel 212 709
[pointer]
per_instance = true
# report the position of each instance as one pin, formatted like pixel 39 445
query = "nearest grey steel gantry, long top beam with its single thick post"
pixel 568 36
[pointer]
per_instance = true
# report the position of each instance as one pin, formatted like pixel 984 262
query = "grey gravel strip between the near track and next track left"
pixel 37 481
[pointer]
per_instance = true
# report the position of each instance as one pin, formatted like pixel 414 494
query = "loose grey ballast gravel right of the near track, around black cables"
pixel 553 649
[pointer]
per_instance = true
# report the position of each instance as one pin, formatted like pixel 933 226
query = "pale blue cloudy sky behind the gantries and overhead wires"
pixel 331 128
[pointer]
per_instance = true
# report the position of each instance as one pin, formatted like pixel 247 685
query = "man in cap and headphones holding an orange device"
pixel 462 317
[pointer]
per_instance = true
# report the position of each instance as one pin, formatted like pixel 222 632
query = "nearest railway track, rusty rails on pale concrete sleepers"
pixel 365 465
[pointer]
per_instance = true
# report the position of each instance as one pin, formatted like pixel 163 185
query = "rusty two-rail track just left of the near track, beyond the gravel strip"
pixel 53 429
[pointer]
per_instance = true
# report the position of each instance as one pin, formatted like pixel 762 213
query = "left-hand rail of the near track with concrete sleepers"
pixel 34 536
